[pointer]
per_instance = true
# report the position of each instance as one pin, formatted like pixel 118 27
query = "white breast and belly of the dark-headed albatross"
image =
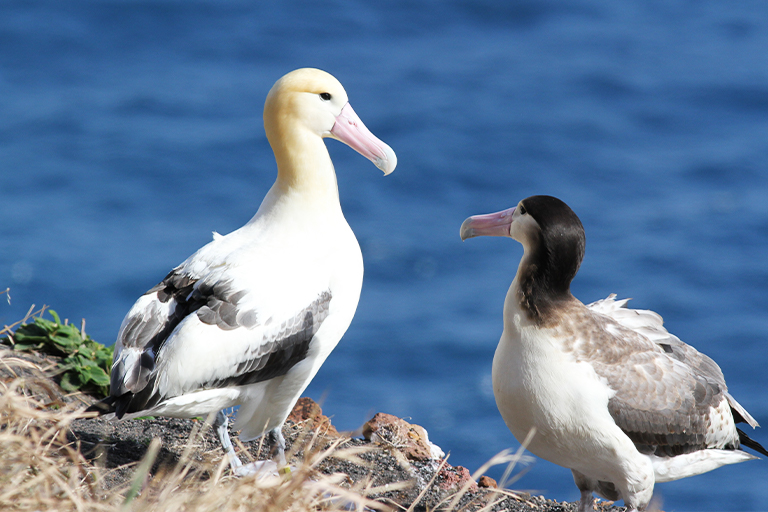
pixel 537 385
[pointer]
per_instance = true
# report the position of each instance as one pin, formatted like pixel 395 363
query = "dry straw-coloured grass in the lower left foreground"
pixel 42 471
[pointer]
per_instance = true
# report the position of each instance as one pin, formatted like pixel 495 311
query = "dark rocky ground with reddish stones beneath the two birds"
pixel 391 455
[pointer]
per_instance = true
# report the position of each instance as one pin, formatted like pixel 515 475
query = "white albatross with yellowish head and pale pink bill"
pixel 249 318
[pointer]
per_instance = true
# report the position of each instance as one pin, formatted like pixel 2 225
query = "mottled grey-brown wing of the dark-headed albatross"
pixel 663 401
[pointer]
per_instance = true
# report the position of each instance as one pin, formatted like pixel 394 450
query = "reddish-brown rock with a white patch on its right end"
pixel 409 439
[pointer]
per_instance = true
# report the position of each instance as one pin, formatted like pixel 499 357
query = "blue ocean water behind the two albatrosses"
pixel 130 130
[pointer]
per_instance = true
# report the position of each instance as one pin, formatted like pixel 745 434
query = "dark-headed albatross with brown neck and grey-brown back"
pixel 610 393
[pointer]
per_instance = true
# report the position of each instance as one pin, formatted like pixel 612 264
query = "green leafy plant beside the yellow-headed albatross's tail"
pixel 86 363
